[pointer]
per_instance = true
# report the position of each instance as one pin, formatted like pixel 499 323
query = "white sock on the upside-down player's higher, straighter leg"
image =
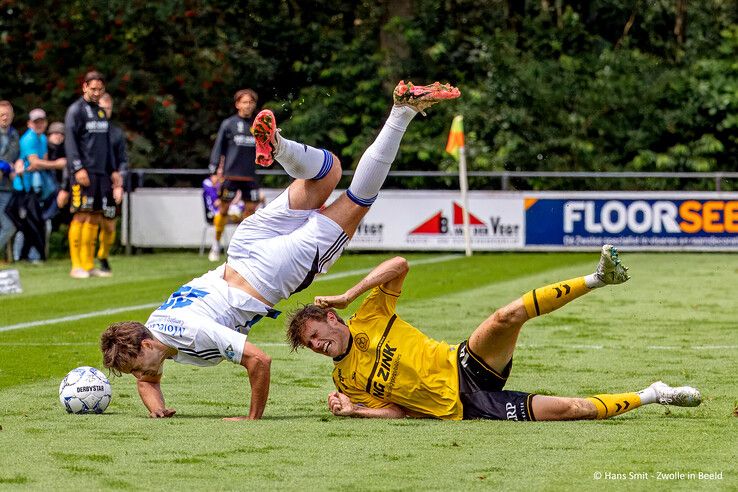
pixel 377 159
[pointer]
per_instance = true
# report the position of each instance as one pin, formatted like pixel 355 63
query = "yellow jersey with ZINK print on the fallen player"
pixel 390 361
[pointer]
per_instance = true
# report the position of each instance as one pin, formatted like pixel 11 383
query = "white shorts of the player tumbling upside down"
pixel 279 250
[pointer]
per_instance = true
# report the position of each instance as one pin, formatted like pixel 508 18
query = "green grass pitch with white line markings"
pixel 675 320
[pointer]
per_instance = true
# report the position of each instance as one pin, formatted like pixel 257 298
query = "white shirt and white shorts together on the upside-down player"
pixel 279 251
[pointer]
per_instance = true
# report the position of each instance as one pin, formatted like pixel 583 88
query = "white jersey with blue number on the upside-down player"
pixel 207 321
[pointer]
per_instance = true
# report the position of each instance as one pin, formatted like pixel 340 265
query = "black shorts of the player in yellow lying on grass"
pixel 481 393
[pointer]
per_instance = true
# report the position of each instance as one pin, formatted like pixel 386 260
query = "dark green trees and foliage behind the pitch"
pixel 547 85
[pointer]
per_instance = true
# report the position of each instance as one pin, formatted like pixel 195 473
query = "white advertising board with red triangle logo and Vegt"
pixel 399 220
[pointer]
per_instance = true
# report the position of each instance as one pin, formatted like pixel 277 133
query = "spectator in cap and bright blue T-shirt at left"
pixel 37 174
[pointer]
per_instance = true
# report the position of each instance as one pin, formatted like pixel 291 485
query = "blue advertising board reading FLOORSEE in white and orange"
pixel 639 221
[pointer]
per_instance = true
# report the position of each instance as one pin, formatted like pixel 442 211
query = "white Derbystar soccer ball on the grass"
pixel 85 390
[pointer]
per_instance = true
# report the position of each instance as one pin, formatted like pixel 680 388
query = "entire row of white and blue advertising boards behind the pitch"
pixel 421 220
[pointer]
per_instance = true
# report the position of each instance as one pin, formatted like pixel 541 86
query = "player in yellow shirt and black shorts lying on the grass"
pixel 386 368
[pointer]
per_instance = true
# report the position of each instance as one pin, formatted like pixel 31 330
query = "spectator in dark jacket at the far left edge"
pixel 9 150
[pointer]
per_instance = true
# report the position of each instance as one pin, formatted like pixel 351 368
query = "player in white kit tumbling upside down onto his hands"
pixel 273 254
